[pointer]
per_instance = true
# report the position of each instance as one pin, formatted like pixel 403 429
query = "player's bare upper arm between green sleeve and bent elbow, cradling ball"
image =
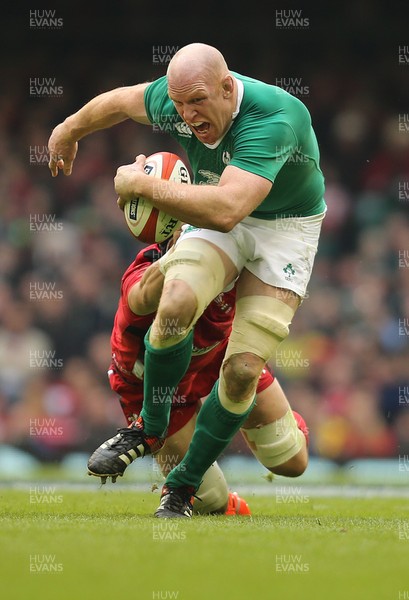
pixel 245 190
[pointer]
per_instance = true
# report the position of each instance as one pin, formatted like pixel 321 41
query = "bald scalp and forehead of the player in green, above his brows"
pixel 197 61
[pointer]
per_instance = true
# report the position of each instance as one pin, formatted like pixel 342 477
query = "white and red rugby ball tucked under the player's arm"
pixel 145 222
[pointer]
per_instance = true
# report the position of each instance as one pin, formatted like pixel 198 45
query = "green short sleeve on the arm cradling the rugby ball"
pixel 264 147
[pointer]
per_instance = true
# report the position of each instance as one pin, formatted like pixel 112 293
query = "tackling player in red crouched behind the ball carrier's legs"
pixel 140 284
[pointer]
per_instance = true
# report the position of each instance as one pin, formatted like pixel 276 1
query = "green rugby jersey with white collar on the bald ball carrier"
pixel 271 136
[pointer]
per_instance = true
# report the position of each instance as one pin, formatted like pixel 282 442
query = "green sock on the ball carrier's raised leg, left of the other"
pixel 163 370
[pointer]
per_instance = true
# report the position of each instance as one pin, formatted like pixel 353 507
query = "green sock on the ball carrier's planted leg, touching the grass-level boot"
pixel 215 428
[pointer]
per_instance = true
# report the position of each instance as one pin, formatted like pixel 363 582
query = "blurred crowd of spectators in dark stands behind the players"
pixel 64 244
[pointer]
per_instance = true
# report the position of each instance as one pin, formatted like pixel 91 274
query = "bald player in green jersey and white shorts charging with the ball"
pixel 255 210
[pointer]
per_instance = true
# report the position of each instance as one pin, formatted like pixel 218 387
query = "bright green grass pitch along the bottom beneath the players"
pixel 64 544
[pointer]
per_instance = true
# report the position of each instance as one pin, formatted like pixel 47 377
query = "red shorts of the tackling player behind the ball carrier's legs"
pixel 194 386
